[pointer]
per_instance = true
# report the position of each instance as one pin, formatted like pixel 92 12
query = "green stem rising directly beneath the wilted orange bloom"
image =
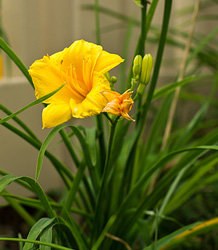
pixel 98 225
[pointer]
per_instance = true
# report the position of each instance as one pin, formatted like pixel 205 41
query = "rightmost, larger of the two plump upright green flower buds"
pixel 147 64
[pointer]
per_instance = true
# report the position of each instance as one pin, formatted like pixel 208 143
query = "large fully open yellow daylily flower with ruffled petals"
pixel 81 67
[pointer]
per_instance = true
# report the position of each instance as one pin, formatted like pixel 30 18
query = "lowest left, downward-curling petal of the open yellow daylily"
pixel 55 114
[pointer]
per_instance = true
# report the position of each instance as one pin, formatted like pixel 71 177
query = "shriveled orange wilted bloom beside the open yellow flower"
pixel 118 104
